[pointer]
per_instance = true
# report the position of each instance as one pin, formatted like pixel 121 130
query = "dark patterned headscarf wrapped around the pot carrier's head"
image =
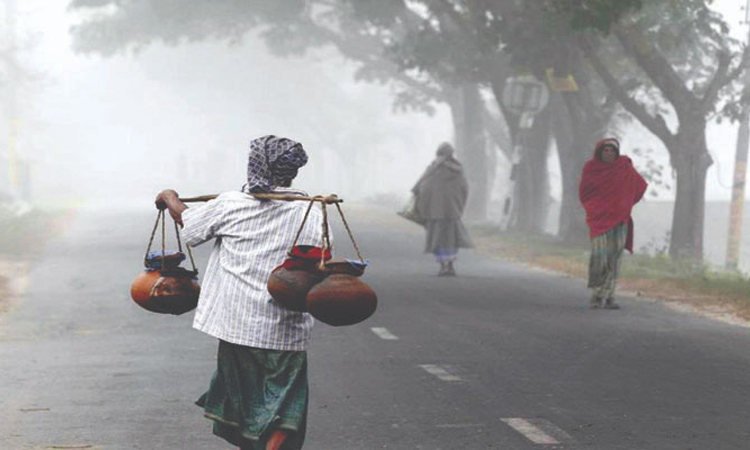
pixel 273 161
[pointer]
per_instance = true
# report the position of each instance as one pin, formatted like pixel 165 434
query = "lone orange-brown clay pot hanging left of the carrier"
pixel 166 292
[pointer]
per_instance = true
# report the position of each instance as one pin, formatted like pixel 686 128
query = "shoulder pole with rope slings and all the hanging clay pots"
pixel 330 291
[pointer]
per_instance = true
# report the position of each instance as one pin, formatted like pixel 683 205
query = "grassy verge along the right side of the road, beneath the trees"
pixel 653 276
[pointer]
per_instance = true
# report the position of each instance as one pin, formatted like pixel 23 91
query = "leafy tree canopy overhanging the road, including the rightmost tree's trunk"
pixel 670 64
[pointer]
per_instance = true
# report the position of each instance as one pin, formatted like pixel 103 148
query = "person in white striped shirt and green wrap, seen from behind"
pixel 262 346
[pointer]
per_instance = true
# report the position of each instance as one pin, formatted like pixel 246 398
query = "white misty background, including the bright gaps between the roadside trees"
pixel 112 132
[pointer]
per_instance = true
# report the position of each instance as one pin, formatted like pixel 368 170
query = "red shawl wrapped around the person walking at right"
pixel 608 193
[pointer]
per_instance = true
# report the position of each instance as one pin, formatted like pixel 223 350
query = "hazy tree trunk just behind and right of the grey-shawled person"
pixel 467 109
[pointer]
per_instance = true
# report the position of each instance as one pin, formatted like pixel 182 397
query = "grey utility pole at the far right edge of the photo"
pixel 734 240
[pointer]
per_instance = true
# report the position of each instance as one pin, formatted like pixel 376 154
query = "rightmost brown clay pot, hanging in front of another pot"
pixel 341 299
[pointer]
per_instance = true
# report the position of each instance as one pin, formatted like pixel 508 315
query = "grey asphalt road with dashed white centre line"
pixel 501 357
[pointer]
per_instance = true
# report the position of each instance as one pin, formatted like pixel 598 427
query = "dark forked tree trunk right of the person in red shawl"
pixel 691 161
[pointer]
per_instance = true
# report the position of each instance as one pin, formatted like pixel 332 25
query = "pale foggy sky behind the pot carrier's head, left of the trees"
pixel 182 117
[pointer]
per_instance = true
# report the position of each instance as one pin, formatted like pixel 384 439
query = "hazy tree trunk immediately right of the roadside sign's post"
pixel 532 197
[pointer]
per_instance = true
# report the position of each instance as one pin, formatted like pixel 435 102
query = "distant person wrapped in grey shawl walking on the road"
pixel 440 198
